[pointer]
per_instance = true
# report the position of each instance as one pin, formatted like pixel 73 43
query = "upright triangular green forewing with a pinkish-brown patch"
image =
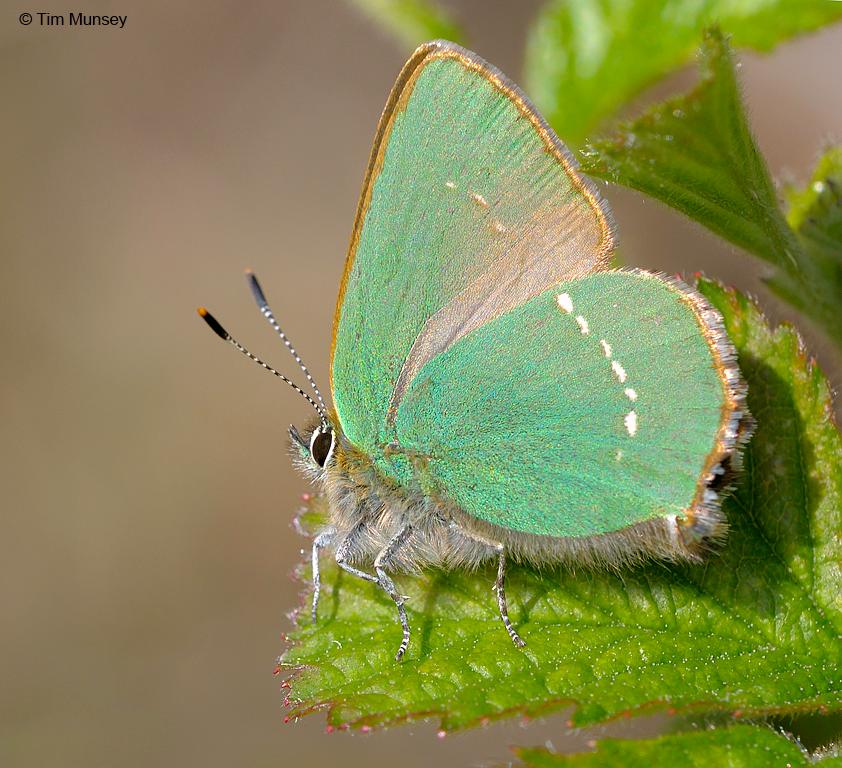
pixel 470 207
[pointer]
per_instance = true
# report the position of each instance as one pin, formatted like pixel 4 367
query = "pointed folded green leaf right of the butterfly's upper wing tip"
pixel 696 154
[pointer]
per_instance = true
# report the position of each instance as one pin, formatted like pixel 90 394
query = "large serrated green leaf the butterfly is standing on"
pixel 754 630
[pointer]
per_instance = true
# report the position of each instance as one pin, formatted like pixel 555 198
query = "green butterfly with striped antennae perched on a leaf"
pixel 499 391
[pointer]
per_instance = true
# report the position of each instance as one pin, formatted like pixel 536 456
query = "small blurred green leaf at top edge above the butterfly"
pixel 412 22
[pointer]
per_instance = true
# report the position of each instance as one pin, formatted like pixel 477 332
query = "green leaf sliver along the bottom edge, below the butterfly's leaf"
pixel 741 746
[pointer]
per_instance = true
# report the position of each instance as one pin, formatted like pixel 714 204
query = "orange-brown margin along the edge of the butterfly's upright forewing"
pixel 400 93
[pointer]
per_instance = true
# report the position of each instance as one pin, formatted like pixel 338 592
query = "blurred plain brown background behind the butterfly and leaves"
pixel 147 494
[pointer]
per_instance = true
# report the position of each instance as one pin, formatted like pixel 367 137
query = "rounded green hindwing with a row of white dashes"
pixel 592 407
